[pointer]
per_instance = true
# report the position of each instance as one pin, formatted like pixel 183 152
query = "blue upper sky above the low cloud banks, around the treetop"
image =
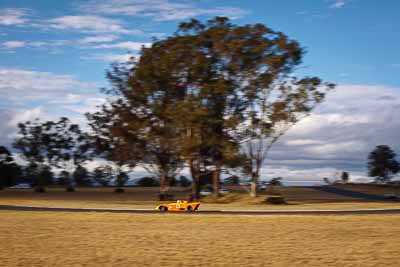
pixel 351 41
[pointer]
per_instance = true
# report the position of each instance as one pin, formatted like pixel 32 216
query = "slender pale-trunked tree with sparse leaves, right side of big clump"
pixel 275 109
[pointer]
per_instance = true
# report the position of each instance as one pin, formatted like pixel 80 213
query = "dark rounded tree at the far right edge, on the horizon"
pixel 382 163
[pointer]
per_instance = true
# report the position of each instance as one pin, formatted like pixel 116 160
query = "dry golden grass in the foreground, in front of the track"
pixel 102 239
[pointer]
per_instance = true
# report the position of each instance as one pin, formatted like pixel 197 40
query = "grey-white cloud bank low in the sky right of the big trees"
pixel 342 131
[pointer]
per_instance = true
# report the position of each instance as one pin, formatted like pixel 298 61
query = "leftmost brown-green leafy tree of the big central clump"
pixel 137 128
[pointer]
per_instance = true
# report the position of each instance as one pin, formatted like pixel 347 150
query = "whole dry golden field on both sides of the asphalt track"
pixel 106 239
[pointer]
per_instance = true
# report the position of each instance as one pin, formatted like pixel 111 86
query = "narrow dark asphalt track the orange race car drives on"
pixel 207 212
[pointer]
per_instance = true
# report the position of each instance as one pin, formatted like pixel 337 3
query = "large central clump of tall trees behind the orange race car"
pixel 196 96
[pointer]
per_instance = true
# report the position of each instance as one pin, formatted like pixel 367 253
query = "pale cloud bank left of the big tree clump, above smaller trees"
pixel 28 94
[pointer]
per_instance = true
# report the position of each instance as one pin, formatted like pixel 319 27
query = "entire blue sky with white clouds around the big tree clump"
pixel 53 56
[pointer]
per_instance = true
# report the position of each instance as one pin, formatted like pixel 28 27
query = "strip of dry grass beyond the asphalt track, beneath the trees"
pixel 145 198
